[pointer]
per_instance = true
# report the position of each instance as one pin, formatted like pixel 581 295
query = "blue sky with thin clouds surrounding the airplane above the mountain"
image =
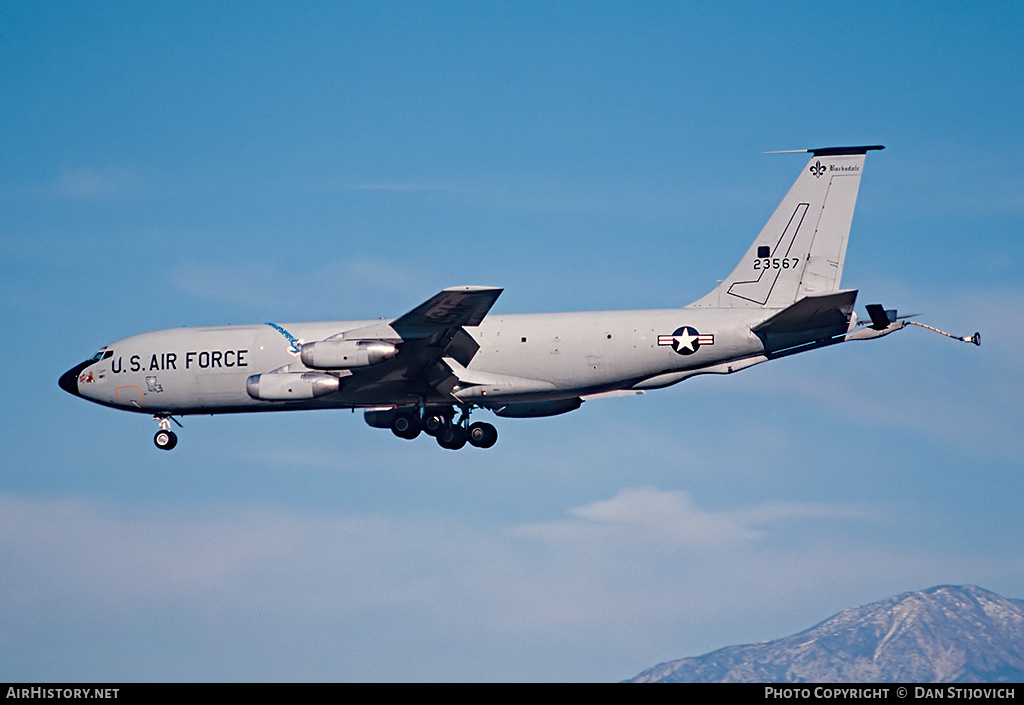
pixel 169 164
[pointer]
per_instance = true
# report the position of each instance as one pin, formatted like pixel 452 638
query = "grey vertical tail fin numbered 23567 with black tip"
pixel 800 253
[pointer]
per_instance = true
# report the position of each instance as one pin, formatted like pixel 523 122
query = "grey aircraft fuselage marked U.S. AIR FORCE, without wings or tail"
pixel 533 357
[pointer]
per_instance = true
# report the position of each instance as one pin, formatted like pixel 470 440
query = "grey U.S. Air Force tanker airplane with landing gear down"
pixel 447 357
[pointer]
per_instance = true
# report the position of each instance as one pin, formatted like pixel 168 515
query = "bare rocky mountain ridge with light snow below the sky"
pixel 948 634
